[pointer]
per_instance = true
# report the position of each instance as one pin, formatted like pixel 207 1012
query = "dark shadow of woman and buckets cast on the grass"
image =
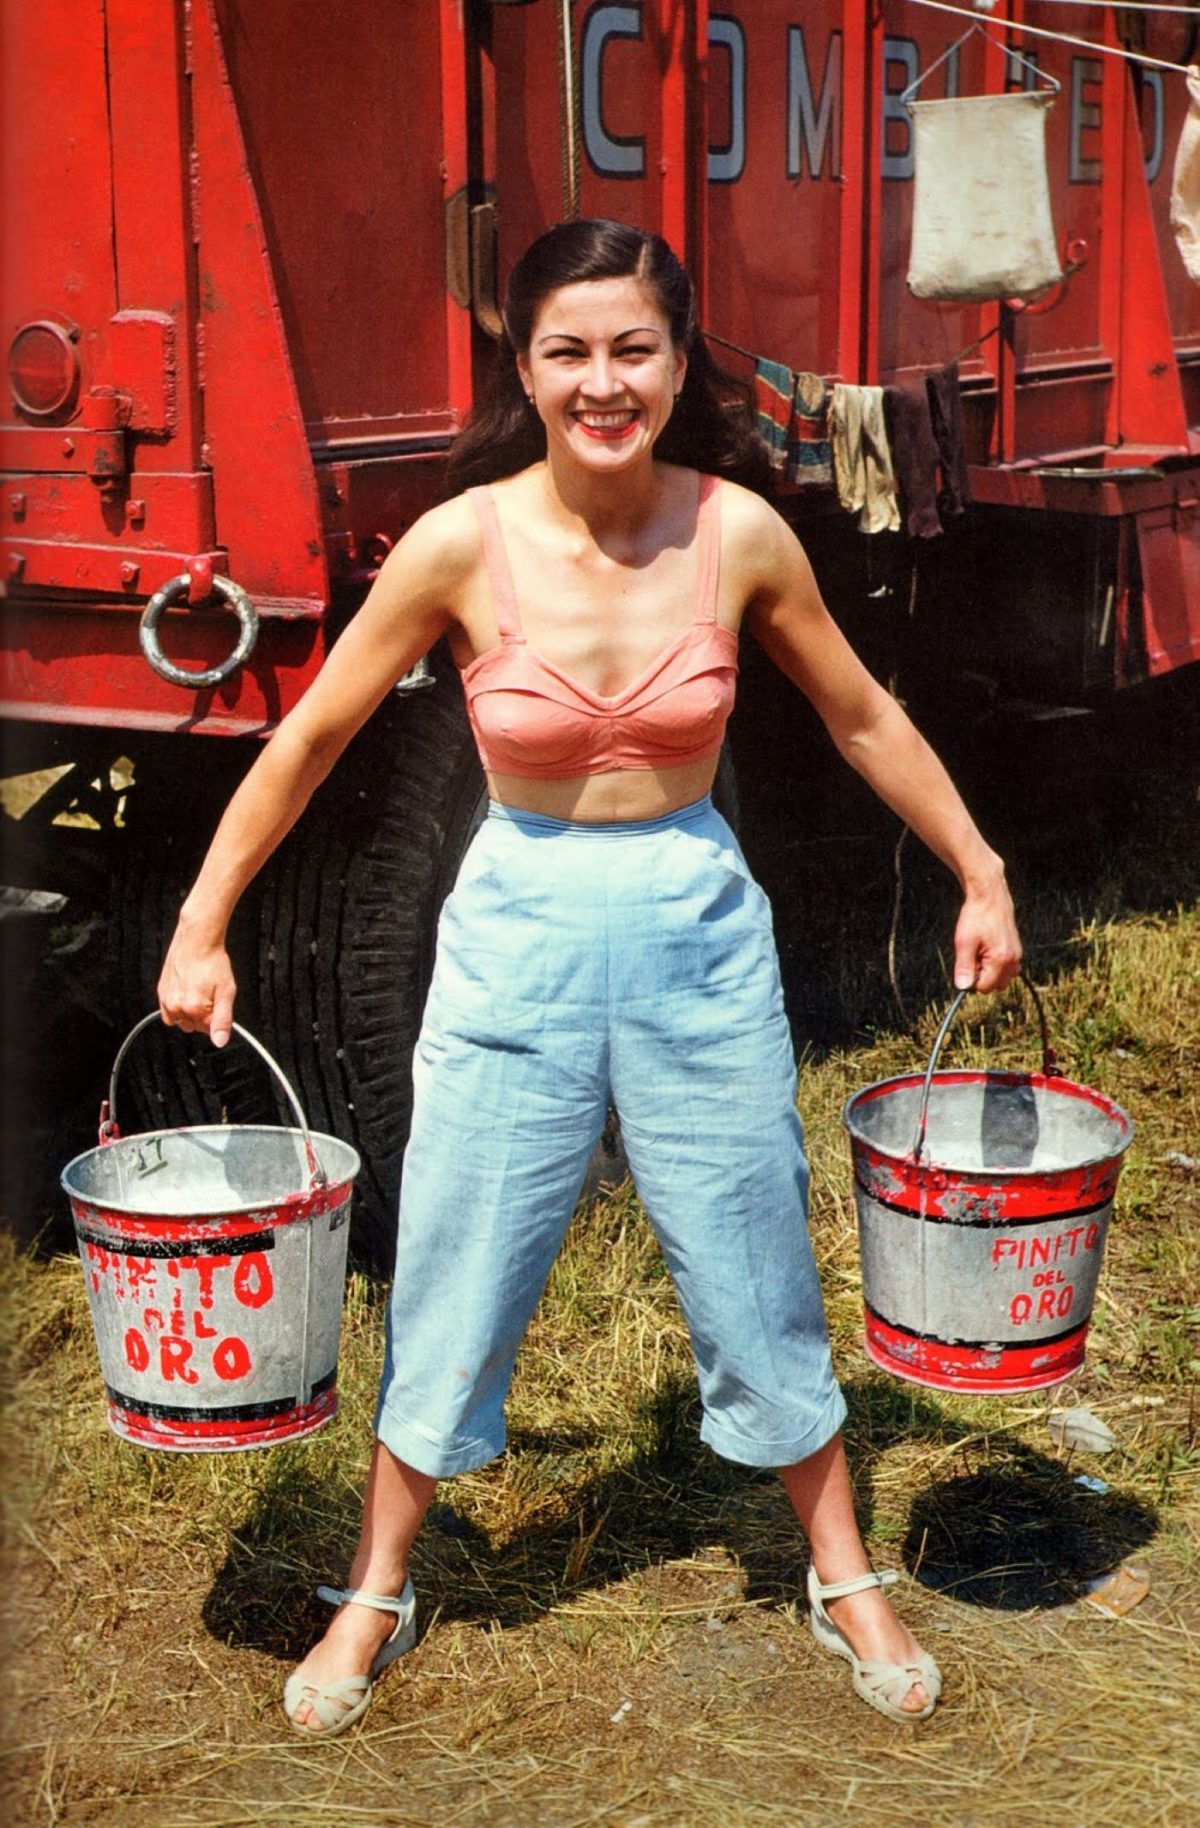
pixel 1009 1533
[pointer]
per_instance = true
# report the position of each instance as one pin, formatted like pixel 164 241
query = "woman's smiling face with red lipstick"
pixel 603 372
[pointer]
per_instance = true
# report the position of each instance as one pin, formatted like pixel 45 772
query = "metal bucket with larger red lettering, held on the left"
pixel 215 1260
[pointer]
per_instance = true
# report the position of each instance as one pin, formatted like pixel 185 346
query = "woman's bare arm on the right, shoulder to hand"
pixel 875 738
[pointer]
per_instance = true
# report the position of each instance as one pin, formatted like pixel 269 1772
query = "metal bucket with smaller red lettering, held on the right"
pixel 983 1207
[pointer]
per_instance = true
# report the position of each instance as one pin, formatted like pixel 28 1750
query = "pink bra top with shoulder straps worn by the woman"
pixel 533 719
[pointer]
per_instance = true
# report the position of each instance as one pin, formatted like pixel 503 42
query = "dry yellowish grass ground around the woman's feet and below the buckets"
pixel 612 1630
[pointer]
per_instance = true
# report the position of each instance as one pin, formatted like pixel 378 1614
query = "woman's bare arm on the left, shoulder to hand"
pixel 405 613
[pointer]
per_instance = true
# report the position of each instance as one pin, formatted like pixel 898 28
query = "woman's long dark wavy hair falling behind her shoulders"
pixel 712 425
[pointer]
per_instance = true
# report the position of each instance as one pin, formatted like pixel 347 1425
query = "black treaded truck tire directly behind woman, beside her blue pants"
pixel 348 926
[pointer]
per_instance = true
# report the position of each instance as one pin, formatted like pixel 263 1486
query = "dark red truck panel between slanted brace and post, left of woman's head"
pixel 341 109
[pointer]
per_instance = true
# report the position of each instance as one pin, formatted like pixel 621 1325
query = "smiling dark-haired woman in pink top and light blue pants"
pixel 605 944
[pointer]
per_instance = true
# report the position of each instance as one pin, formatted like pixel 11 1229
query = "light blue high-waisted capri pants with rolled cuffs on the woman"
pixel 583 966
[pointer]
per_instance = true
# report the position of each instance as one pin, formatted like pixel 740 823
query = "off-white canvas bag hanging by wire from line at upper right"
pixel 981 198
